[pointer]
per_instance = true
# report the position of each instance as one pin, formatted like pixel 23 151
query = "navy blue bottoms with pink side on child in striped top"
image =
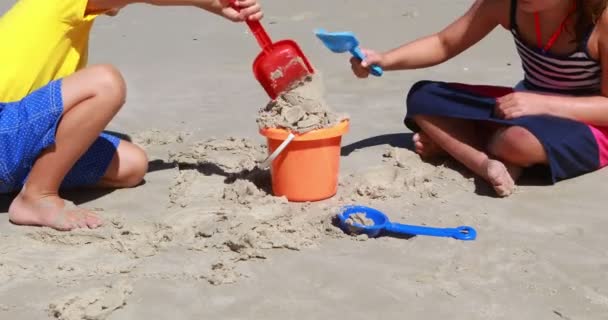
pixel 573 148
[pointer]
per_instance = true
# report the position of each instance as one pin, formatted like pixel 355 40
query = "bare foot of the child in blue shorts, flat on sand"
pixel 51 211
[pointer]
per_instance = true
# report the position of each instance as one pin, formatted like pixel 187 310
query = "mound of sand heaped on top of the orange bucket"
pixel 300 109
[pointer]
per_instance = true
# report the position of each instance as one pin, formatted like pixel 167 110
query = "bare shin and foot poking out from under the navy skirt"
pixel 459 139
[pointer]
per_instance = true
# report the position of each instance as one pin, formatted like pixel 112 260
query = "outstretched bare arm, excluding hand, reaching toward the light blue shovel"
pixel 481 18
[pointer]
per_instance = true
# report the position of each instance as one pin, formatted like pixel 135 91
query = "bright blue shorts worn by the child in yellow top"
pixel 28 126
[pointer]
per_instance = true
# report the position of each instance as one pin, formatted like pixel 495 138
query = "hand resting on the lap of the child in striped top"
pixel 519 104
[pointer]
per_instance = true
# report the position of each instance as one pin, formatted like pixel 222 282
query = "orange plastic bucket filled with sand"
pixel 308 168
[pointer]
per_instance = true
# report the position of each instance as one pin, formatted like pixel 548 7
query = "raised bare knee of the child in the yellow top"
pixel 110 83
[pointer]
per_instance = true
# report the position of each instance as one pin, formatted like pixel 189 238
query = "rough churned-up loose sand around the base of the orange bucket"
pixel 220 215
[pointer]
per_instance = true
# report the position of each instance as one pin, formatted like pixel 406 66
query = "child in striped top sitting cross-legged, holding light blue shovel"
pixel 557 118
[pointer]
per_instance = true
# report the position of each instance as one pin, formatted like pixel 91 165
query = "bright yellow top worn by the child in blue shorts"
pixel 41 41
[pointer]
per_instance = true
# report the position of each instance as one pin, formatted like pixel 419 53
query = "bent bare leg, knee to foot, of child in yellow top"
pixel 91 98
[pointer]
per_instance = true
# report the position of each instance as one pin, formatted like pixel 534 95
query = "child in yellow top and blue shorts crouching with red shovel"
pixel 55 108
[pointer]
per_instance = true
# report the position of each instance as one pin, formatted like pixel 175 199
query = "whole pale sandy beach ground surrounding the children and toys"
pixel 200 240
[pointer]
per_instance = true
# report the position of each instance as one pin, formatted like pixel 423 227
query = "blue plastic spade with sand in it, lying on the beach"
pixel 383 224
